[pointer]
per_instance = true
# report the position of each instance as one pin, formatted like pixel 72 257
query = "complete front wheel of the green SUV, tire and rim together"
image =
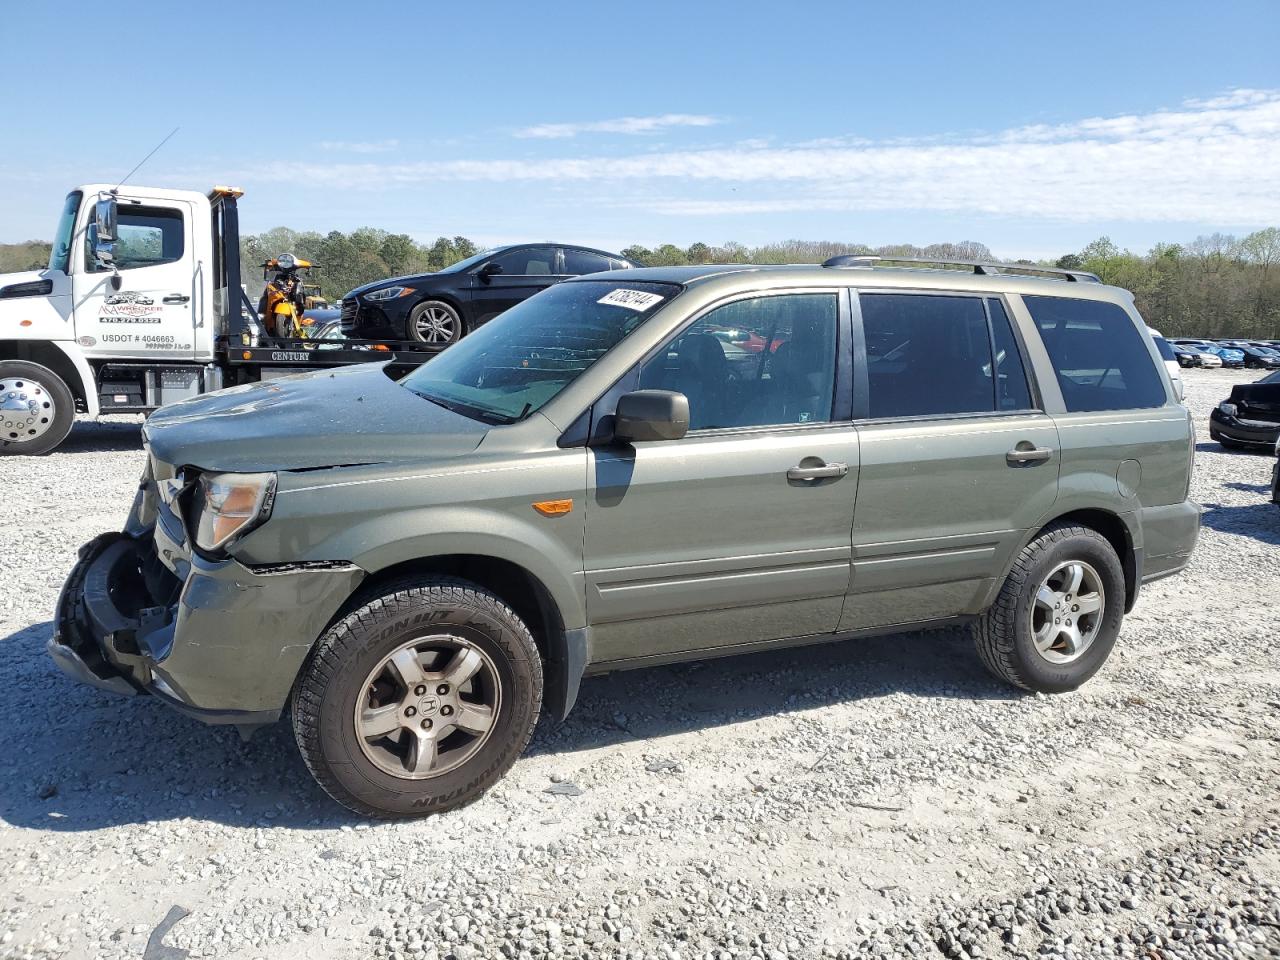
pixel 419 701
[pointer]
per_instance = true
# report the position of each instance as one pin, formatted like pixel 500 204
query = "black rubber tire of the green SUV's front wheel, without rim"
pixel 327 691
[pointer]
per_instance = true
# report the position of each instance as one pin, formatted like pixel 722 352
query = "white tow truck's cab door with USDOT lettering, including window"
pixel 150 317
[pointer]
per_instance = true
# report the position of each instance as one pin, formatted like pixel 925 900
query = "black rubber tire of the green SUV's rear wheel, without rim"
pixel 1004 633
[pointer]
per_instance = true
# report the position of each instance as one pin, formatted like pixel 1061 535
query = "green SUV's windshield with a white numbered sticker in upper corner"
pixel 519 362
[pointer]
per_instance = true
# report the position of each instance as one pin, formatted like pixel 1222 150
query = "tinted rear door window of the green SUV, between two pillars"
pixel 936 355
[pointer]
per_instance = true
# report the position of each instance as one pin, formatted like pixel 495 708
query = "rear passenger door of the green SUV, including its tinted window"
pixel 958 458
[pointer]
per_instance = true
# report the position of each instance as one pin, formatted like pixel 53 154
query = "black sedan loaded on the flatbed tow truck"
pixel 445 307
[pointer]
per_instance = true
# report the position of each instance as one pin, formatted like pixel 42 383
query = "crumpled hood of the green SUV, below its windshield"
pixel 322 419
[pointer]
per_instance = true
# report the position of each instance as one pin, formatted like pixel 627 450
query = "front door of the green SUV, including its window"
pixel 740 532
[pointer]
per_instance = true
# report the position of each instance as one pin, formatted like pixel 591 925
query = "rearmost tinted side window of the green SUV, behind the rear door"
pixel 1099 355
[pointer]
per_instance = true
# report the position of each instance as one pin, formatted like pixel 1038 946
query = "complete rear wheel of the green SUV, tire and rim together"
pixel 1058 615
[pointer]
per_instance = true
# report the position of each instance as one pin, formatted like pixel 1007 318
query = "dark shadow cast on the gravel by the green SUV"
pixel 89 760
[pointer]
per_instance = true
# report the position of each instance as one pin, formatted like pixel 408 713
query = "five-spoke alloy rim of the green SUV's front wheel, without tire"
pixel 428 707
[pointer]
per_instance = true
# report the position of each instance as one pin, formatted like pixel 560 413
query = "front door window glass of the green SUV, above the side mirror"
pixel 755 363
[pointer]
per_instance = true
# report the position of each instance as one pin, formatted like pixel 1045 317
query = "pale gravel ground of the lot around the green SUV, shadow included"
pixel 881 798
